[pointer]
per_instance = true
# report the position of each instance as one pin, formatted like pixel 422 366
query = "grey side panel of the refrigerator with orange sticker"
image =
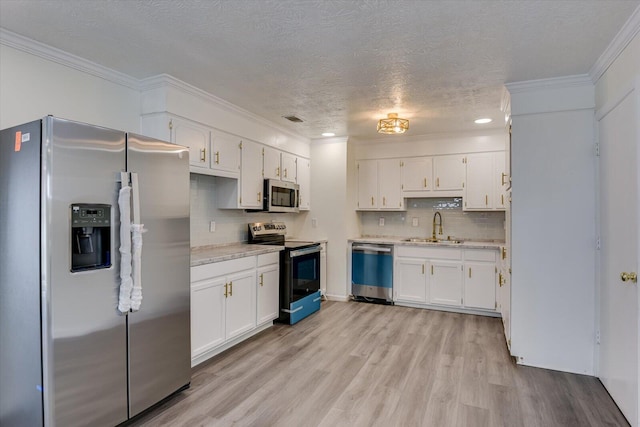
pixel 20 350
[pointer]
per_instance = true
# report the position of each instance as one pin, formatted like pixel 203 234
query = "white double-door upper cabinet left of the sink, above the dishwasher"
pixel 379 185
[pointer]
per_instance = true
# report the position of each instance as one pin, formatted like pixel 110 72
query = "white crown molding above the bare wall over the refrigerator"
pixel 61 57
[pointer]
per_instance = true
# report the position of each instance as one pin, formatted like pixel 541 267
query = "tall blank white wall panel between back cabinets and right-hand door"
pixel 553 225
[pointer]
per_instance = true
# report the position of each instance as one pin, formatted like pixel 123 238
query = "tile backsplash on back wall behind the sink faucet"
pixel 455 222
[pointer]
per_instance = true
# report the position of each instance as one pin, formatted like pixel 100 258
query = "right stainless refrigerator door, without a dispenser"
pixel 159 333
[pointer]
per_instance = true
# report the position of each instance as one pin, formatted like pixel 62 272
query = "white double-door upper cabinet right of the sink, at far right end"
pixel 485 176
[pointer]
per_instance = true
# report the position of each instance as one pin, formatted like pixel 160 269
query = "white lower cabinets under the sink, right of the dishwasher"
pixel 456 278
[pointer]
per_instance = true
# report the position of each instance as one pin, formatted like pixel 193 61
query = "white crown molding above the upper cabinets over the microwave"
pixel 166 80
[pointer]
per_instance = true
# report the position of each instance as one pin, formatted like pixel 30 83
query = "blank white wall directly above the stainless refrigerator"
pixel 33 87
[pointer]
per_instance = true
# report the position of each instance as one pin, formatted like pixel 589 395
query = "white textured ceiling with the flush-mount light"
pixel 338 65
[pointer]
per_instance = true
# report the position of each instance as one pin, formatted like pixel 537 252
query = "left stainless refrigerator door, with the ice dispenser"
pixel 85 362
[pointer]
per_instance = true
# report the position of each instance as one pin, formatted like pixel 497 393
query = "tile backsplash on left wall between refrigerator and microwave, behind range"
pixel 231 224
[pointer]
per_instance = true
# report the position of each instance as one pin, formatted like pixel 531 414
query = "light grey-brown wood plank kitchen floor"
pixel 358 364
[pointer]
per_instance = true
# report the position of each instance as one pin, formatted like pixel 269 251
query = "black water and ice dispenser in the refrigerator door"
pixel 90 237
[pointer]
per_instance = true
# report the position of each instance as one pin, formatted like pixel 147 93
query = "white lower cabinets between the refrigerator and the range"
pixel 230 301
